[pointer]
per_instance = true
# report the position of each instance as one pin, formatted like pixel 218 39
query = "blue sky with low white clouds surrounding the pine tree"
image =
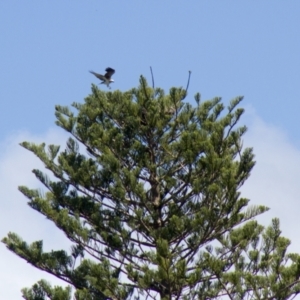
pixel 232 48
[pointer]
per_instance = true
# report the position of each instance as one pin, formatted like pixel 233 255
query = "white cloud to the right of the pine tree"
pixel 275 178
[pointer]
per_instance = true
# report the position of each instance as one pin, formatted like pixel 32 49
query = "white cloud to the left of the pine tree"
pixel 16 164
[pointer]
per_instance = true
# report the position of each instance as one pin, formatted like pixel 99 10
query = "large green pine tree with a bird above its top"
pixel 153 206
